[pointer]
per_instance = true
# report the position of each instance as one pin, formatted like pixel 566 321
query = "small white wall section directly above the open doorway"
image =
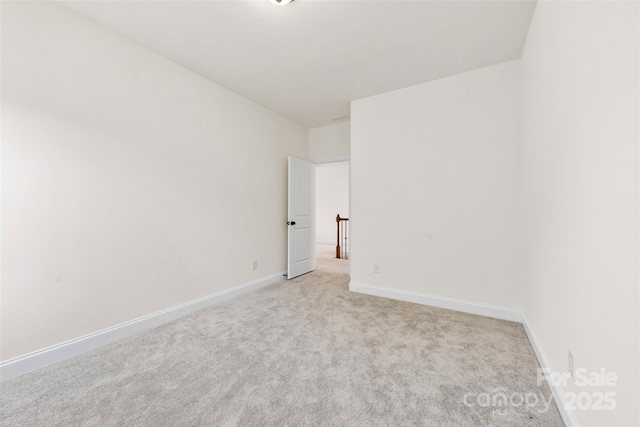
pixel 330 143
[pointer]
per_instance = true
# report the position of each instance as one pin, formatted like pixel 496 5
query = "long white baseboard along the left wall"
pixel 40 358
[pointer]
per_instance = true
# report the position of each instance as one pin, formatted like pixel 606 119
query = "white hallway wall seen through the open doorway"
pixel 332 198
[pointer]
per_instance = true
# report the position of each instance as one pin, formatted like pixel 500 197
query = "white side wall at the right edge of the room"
pixel 580 176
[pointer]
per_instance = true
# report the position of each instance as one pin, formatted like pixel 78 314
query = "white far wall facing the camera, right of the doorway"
pixel 434 181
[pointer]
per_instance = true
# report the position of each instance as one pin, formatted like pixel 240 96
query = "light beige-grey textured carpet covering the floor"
pixel 300 352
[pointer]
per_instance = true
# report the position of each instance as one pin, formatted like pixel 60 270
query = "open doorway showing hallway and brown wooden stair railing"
pixel 332 202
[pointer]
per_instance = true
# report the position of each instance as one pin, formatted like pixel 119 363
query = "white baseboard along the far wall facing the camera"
pixel 495 311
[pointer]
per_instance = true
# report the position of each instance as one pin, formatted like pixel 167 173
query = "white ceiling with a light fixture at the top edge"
pixel 308 59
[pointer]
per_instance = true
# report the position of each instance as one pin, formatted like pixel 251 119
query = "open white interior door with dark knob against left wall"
pixel 302 218
